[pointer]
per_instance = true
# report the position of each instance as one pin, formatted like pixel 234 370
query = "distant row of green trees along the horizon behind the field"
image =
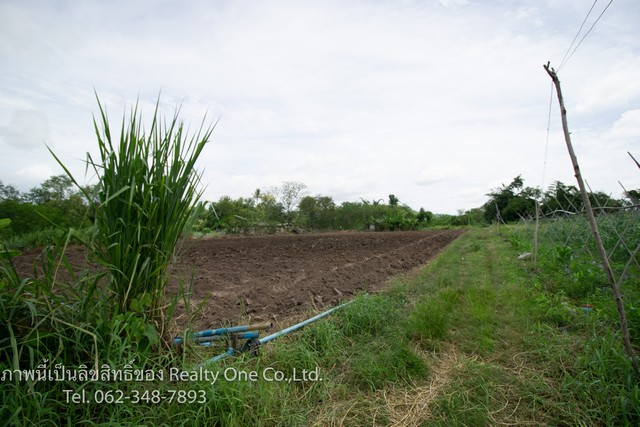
pixel 58 203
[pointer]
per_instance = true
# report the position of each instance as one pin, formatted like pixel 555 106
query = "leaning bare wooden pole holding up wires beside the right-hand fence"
pixel 626 340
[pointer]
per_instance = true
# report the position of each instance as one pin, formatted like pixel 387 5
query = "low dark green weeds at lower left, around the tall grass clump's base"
pixel 62 321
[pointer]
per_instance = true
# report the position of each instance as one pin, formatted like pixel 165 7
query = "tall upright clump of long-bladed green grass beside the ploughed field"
pixel 147 195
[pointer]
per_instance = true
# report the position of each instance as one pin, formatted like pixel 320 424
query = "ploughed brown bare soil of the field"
pixel 273 277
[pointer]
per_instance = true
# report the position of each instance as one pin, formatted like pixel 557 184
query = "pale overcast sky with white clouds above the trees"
pixel 435 101
